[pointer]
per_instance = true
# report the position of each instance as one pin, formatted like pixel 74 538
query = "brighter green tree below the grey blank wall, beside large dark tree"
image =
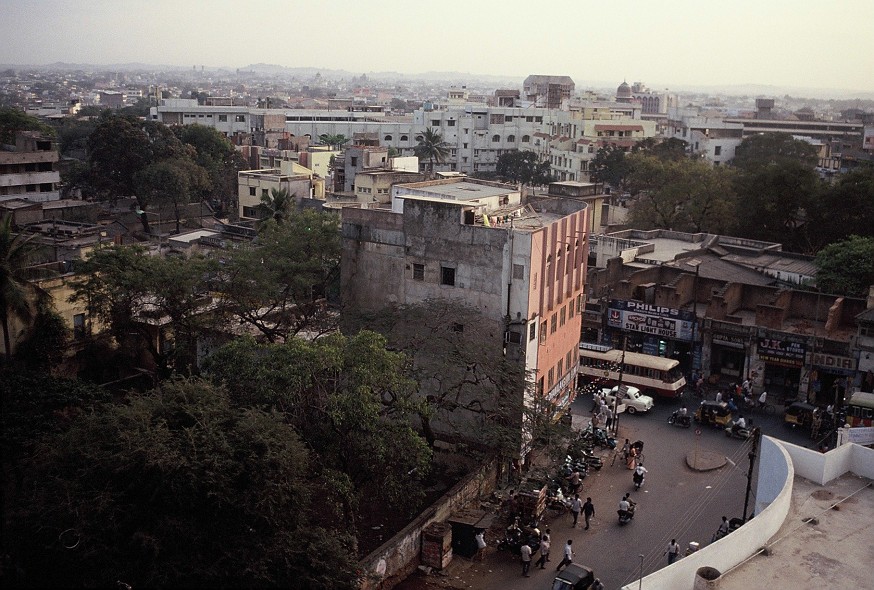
pixel 349 398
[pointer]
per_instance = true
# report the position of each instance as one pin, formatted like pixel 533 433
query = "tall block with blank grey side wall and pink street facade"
pixel 525 275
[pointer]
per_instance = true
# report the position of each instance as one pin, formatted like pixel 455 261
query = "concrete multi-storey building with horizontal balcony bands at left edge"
pixel 29 169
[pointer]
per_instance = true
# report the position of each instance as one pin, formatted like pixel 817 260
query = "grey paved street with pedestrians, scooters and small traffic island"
pixel 675 502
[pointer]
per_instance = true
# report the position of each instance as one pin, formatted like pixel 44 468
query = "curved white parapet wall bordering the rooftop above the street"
pixel 773 500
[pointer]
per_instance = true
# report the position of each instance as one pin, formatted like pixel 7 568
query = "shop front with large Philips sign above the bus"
pixel 655 330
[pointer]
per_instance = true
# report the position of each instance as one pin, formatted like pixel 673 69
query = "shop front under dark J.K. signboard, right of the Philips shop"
pixel 778 366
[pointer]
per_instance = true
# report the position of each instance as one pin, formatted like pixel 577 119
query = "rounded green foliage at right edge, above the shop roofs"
pixel 847 267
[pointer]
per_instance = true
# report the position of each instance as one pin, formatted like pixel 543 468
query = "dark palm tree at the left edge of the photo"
pixel 15 250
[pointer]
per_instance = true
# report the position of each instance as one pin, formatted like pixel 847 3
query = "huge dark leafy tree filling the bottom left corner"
pixel 178 488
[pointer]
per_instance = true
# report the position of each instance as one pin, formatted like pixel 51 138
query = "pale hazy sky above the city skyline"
pixel 790 43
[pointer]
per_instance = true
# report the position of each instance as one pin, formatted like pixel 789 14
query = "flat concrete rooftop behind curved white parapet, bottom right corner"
pixel 827 541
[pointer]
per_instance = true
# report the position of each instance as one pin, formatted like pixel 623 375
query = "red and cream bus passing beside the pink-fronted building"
pixel 652 375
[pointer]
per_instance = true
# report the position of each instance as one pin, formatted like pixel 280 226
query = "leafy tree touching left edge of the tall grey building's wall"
pixel 278 284
